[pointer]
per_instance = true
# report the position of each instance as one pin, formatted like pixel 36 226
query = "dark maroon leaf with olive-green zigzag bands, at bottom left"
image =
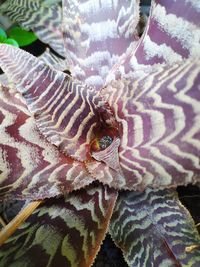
pixel 63 232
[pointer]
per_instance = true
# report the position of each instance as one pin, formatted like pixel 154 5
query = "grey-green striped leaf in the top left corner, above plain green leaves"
pixel 41 18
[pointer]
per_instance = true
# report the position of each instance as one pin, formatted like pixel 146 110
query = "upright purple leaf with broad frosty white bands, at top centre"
pixel 97 34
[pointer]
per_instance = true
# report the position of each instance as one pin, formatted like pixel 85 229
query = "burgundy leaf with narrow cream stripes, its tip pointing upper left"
pixel 66 111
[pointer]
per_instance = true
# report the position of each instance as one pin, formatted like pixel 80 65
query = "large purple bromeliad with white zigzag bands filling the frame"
pixel 115 149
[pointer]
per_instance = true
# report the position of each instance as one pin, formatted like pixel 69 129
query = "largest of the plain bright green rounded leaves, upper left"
pixel 22 36
